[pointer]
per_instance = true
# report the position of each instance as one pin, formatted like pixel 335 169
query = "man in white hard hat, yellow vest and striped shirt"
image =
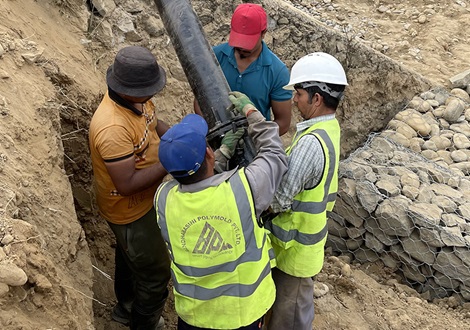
pixel 307 191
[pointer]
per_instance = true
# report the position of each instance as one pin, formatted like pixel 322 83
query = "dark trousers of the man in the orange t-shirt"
pixel 142 270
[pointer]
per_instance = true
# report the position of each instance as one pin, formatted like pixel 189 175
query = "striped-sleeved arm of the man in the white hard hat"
pixel 305 167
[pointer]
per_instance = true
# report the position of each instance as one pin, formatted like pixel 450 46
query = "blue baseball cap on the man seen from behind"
pixel 183 147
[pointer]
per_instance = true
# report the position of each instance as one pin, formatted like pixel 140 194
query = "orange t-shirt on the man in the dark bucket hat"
pixel 115 133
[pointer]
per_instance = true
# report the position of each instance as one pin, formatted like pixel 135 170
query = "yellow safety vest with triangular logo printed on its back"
pixel 220 256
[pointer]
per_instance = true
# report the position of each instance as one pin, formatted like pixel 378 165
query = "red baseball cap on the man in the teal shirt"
pixel 248 21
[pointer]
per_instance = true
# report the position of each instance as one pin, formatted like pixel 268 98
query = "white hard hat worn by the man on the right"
pixel 317 67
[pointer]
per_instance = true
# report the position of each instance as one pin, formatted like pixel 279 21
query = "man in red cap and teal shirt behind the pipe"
pixel 252 68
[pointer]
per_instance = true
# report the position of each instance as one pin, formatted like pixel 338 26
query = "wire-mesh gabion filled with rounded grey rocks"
pixel 404 197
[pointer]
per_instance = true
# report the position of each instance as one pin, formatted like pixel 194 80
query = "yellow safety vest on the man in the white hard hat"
pixel 298 235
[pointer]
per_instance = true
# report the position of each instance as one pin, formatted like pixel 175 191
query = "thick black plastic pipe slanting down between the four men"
pixel 204 74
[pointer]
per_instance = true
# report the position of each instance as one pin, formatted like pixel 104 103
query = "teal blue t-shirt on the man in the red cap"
pixel 262 81
